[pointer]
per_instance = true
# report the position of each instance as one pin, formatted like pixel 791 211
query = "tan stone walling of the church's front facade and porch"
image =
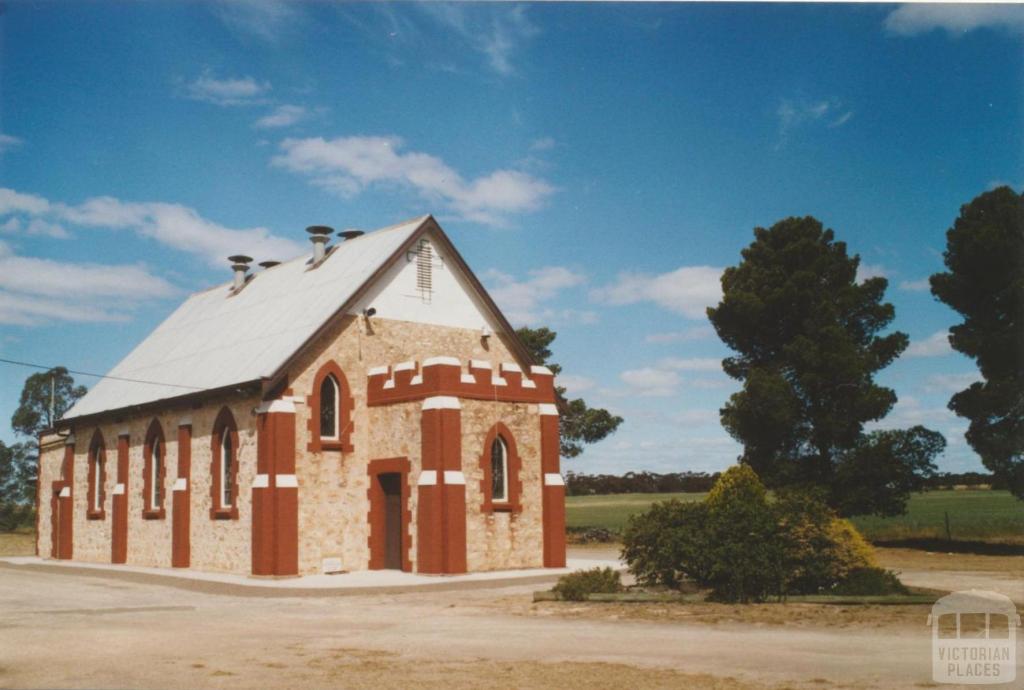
pixel 333 485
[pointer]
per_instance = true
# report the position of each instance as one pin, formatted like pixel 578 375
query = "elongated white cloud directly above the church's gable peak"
pixel 349 165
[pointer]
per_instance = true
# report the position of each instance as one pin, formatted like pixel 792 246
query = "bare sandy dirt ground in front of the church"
pixel 63 631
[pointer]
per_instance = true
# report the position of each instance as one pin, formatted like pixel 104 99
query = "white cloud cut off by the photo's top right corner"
pixel 912 20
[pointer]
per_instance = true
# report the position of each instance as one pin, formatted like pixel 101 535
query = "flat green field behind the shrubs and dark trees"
pixel 974 515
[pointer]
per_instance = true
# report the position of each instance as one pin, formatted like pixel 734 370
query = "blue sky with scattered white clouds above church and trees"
pixel 599 165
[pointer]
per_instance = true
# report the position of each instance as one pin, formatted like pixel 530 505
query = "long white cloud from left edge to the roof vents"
pixel 172 225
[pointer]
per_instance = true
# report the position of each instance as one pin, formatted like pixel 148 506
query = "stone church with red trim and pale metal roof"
pixel 366 406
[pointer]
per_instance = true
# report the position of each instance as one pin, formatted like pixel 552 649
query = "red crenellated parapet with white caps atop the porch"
pixel 479 379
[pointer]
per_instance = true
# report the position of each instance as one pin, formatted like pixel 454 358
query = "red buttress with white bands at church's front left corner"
pixel 276 493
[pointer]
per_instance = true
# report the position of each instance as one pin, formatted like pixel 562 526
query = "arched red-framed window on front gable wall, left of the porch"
pixel 330 403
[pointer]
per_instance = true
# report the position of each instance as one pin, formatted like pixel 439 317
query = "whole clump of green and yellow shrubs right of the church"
pixel 744 548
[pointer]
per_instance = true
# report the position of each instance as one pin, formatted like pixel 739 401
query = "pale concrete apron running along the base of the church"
pixel 352 582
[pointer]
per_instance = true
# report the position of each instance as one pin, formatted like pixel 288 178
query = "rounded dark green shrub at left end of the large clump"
pixel 668 544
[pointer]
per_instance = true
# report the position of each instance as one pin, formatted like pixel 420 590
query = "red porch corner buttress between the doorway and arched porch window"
pixel 442 506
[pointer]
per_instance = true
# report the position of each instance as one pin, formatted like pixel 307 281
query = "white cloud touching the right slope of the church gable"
pixel 522 301
